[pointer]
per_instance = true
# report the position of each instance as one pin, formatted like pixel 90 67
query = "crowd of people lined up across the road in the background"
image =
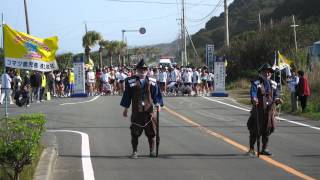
pixel 24 87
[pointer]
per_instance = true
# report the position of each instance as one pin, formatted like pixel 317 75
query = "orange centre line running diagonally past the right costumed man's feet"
pixel 239 146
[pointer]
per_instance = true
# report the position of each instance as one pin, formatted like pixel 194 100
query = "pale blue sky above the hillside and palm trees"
pixel 66 19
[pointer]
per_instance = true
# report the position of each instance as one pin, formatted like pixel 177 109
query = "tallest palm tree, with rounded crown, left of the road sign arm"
pixel 90 39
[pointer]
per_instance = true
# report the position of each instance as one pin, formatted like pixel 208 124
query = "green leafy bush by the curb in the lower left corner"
pixel 19 141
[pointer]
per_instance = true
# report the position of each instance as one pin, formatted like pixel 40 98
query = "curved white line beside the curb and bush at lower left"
pixel 87 169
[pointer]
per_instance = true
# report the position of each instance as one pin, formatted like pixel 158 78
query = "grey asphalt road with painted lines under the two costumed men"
pixel 201 138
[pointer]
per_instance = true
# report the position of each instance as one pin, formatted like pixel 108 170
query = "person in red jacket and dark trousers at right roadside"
pixel 303 90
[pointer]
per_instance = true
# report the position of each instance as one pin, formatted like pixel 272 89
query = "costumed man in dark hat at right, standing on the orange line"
pixel 264 96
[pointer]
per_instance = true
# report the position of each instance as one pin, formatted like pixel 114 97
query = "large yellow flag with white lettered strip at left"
pixel 23 51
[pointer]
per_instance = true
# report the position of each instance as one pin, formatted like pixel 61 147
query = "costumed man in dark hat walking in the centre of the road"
pixel 143 93
